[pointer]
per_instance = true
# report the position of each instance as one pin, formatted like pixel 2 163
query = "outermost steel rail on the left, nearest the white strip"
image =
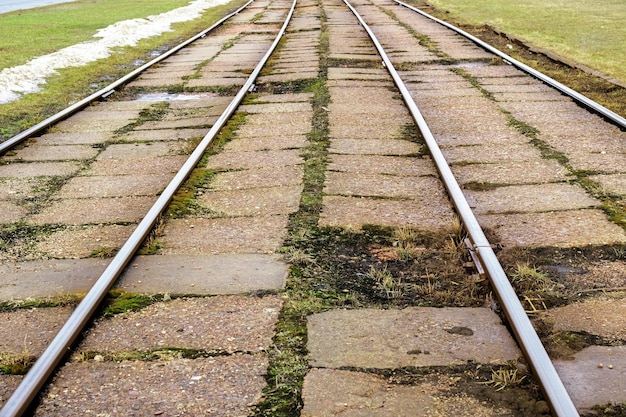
pixel 109 89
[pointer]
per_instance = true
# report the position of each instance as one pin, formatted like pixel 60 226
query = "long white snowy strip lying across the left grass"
pixel 28 78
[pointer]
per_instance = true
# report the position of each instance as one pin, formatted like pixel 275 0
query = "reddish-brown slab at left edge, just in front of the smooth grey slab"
pixel 29 331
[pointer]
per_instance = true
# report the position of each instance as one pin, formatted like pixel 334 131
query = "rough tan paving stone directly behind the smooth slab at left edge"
pixel 84 241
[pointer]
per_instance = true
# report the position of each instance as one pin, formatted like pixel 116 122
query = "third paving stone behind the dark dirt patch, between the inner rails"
pixel 380 164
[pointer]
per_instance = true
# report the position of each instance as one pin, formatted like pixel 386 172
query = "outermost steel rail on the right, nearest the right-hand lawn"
pixel 585 101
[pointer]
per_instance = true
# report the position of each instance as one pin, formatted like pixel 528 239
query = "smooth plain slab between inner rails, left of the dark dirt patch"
pixel 202 274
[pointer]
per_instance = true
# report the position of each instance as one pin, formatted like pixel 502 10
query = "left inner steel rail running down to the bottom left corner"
pixel 43 368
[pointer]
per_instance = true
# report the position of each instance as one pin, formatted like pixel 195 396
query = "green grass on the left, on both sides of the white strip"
pixel 27 34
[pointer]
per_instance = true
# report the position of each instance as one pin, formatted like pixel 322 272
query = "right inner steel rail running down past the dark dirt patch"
pixel 556 395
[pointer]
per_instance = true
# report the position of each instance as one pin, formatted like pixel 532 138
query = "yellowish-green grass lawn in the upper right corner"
pixel 585 31
